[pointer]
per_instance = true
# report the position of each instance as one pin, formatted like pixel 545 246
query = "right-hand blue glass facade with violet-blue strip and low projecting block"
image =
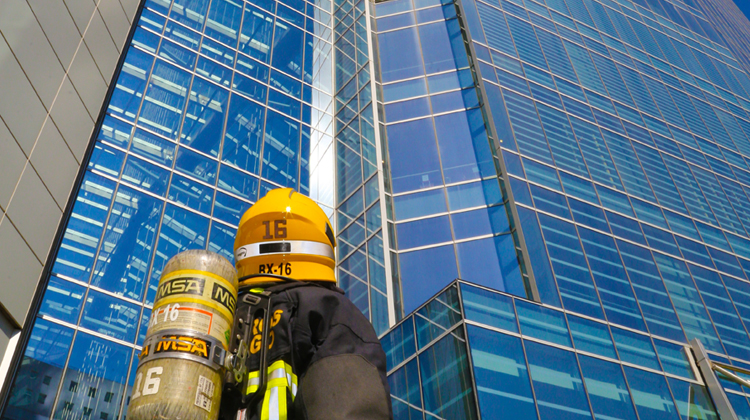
pixel 623 131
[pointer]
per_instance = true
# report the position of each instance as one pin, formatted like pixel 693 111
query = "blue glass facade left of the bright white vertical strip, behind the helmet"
pixel 216 102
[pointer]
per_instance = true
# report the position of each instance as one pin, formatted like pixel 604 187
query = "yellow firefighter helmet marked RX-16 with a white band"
pixel 284 234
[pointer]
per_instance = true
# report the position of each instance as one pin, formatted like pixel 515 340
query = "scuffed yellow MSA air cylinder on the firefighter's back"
pixel 180 371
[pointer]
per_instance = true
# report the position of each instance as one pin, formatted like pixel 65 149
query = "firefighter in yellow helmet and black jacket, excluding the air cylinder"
pixel 302 350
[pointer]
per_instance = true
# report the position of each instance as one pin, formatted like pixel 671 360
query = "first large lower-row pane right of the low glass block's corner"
pixel 501 375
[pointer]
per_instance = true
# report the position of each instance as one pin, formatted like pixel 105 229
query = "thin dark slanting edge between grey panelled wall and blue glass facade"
pixel 14 352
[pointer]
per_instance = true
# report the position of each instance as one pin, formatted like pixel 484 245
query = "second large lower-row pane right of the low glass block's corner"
pixel 557 383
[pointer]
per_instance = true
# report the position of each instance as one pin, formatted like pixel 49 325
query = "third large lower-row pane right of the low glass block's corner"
pixel 608 392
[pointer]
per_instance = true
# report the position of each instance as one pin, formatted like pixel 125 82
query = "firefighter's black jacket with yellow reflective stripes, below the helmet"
pixel 324 359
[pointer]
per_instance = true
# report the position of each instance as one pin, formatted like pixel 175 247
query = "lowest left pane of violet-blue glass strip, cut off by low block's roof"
pixel 425 272
